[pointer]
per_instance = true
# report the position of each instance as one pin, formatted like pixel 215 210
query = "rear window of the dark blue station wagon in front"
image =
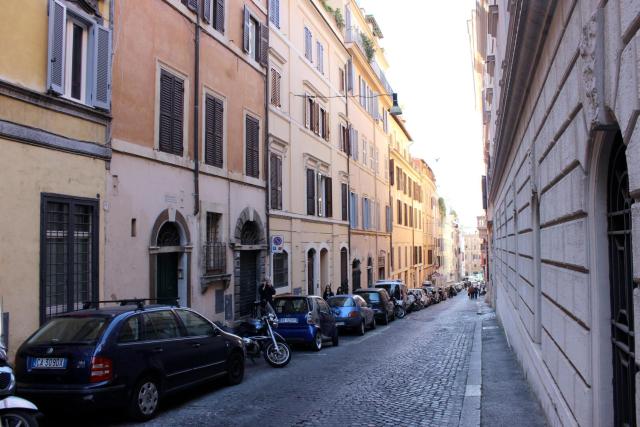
pixel 68 330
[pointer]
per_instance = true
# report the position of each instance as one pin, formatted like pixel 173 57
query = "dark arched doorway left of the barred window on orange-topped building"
pixel 170 274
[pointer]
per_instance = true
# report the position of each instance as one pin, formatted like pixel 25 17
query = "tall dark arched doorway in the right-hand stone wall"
pixel 621 281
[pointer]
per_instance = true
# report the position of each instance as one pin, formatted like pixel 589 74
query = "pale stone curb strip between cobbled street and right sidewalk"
pixel 470 416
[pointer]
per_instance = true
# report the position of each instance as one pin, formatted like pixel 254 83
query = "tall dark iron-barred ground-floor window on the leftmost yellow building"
pixel 69 254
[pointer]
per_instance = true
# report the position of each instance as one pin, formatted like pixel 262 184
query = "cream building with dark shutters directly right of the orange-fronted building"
pixel 308 161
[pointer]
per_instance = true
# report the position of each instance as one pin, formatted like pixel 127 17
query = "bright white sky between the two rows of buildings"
pixel 427 46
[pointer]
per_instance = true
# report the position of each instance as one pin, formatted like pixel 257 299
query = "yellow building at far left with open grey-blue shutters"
pixel 54 127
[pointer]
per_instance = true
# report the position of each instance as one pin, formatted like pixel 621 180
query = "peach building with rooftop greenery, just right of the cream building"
pixel 368 104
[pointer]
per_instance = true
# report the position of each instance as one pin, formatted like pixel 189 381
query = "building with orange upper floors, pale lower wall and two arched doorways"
pixel 185 216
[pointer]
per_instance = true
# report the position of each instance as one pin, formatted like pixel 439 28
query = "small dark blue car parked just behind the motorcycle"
pixel 306 319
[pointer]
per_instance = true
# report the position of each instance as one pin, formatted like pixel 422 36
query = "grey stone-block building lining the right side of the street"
pixel 563 184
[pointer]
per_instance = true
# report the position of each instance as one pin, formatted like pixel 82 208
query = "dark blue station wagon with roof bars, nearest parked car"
pixel 128 356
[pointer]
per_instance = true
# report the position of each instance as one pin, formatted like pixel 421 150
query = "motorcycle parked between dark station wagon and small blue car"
pixel 259 337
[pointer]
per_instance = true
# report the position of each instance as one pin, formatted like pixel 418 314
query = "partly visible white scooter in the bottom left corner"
pixel 14 411
